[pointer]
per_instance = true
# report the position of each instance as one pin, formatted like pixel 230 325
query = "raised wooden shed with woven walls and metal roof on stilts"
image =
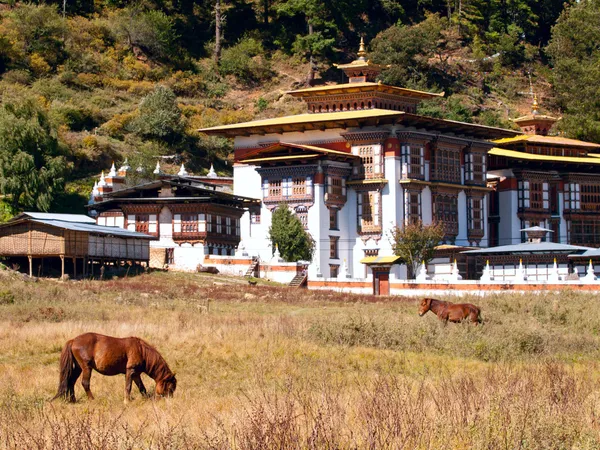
pixel 71 236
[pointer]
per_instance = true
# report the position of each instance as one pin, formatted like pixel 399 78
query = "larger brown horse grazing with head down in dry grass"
pixel 112 356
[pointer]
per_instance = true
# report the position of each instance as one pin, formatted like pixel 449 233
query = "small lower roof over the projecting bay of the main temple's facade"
pixel 283 152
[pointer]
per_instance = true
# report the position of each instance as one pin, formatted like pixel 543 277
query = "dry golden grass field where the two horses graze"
pixel 264 367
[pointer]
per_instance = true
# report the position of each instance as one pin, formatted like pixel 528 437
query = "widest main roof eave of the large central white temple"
pixel 357 119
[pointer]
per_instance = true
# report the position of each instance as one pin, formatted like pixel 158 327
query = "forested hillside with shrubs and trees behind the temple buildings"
pixel 84 82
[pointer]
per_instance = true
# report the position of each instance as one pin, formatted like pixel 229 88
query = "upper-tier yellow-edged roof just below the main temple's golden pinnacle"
pixel 367 86
